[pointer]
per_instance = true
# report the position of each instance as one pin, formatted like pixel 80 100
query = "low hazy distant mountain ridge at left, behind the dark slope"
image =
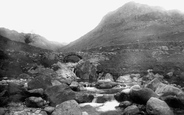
pixel 31 39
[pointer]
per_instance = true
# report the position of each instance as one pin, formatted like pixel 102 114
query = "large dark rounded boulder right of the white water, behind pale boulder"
pixel 141 95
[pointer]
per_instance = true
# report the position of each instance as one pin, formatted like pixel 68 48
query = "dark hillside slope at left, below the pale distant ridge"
pixel 16 57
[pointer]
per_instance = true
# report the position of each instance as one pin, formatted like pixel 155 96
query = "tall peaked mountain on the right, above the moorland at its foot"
pixel 132 23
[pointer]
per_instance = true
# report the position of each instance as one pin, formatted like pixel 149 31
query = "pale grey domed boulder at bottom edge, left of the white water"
pixel 70 107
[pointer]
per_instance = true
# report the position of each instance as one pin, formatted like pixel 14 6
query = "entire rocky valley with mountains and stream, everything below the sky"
pixel 130 64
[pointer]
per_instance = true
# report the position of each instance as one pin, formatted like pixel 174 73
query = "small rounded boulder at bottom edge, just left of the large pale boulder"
pixel 131 110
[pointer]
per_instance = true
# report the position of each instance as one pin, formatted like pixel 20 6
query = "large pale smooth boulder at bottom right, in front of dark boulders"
pixel 156 106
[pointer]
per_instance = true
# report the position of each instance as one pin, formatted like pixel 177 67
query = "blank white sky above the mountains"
pixel 64 20
